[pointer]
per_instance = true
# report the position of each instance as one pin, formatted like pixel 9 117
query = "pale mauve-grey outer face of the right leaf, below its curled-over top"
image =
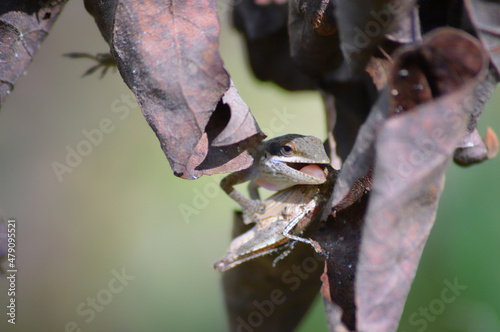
pixel 401 213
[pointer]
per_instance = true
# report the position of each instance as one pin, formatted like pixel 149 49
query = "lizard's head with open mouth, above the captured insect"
pixel 297 157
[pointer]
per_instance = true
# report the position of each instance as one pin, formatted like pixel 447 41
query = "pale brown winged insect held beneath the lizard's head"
pixel 287 215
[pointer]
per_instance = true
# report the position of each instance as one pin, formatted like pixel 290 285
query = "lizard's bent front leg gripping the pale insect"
pixel 251 207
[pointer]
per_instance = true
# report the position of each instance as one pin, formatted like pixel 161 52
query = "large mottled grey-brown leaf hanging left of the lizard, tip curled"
pixel 167 53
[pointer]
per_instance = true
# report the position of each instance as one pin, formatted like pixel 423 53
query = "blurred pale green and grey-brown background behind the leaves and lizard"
pixel 120 207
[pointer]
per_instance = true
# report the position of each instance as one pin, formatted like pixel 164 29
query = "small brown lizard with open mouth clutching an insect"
pixel 279 163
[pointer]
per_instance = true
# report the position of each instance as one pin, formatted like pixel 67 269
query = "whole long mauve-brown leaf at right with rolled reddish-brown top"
pixel 412 151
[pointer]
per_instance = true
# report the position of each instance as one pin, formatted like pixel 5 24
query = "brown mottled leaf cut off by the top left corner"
pixel 23 26
